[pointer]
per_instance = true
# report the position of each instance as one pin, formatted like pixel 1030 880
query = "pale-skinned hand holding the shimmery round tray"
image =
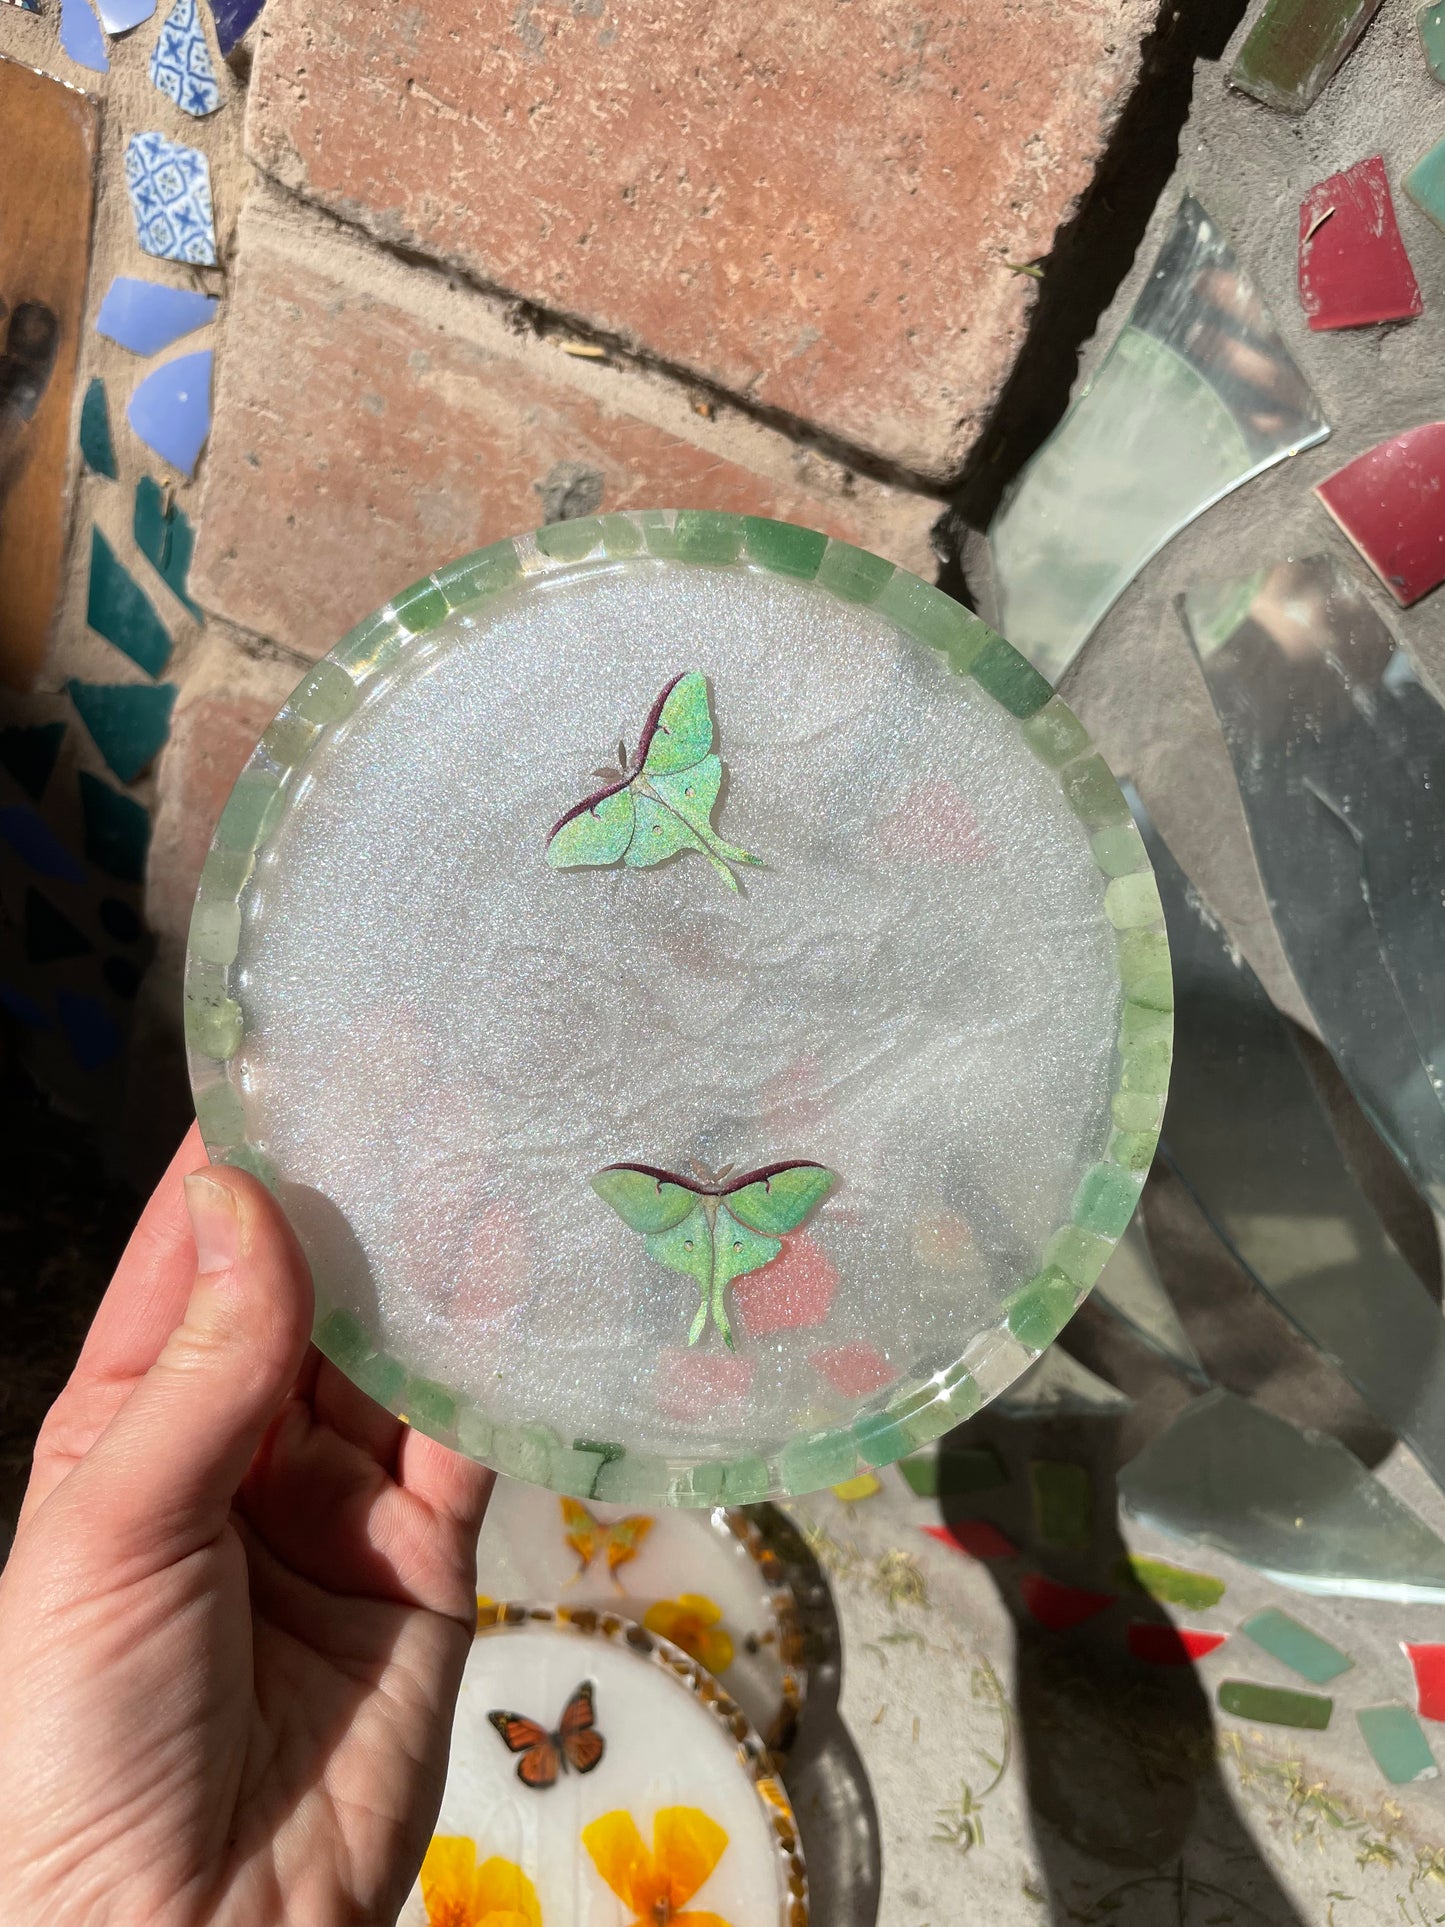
pixel 238 1606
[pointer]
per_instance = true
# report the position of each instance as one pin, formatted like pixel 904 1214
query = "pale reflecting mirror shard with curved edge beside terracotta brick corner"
pixel 1197 396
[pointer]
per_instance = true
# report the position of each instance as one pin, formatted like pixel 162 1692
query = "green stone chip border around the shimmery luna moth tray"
pixel 1070 1261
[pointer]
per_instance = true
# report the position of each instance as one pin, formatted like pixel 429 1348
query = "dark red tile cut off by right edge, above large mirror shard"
pixel 1392 506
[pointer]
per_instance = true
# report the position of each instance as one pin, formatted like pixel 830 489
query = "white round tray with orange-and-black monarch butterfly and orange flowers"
pixel 600 1776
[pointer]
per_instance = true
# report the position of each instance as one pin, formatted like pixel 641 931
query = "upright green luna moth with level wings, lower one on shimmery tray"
pixel 714 1230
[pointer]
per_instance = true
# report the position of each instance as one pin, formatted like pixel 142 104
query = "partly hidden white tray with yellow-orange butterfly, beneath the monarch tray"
pixel 706 1581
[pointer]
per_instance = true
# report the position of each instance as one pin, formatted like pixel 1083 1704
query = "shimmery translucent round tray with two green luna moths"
pixel 712 1115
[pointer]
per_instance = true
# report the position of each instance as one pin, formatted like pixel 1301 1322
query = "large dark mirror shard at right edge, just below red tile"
pixel 1340 756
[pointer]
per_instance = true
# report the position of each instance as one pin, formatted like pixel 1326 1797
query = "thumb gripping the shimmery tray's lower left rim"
pixel 163 1477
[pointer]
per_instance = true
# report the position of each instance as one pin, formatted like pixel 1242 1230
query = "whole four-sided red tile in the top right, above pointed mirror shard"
pixel 1352 261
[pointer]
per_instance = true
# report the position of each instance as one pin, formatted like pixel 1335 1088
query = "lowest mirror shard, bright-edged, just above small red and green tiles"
pixel 1296 1506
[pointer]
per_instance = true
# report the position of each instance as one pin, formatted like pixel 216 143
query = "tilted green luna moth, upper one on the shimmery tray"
pixel 662 803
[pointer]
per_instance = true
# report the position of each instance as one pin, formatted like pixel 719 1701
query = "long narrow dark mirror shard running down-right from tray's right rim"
pixel 1251 1142
